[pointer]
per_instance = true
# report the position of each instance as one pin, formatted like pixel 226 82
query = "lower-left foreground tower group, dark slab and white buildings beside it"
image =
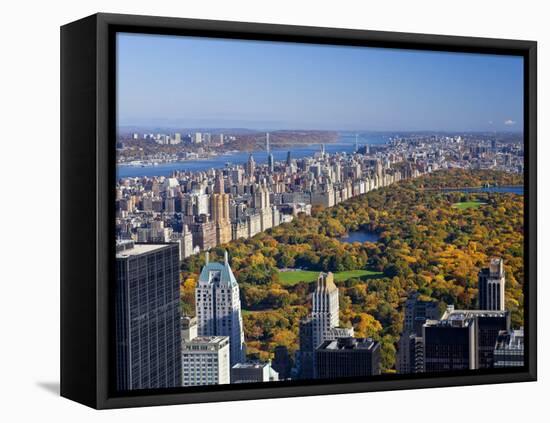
pixel 157 347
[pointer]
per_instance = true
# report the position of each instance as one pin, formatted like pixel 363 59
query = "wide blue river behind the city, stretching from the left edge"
pixel 344 144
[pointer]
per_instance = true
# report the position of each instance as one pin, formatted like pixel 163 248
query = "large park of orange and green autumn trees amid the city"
pixel 431 240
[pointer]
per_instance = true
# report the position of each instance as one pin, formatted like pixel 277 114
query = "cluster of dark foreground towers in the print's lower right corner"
pixel 461 339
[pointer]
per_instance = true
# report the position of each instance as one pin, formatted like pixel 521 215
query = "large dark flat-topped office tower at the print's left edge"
pixel 147 316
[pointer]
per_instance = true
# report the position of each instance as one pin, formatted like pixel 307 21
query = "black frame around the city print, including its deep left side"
pixel 88 111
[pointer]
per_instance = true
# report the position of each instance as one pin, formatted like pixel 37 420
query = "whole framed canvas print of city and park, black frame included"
pixel 258 211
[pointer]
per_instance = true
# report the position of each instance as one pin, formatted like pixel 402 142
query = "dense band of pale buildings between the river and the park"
pixel 200 210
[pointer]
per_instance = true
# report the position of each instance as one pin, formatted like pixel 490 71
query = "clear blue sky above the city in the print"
pixel 197 82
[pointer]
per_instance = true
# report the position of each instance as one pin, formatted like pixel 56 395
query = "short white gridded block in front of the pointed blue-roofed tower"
pixel 205 361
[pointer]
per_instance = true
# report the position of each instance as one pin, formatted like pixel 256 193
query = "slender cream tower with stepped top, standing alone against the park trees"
pixel 325 308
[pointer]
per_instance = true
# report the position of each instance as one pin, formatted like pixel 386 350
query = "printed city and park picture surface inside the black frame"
pixel 296 212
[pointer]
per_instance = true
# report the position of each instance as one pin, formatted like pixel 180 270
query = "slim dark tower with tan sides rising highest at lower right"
pixel 491 286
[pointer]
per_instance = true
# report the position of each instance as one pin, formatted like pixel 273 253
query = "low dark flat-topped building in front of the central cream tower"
pixel 347 357
